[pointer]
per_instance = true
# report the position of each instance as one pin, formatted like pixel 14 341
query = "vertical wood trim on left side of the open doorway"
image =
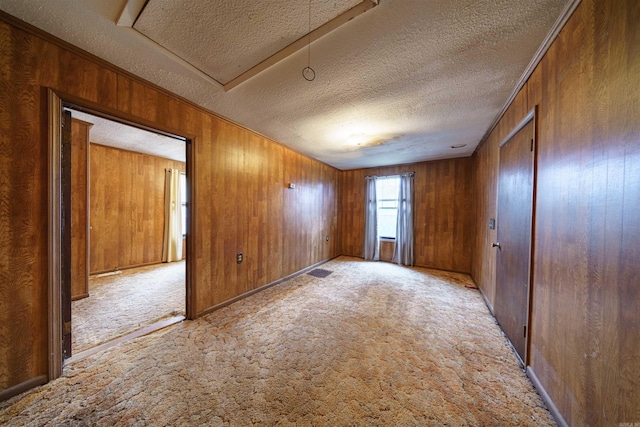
pixel 55 243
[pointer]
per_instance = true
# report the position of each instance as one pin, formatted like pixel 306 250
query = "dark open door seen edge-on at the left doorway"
pixel 65 229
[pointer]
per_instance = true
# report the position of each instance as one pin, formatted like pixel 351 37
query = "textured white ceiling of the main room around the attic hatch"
pixel 401 83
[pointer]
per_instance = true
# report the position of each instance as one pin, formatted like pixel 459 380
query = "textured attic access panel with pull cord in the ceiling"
pixel 226 38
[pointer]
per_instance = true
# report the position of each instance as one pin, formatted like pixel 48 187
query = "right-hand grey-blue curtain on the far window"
pixel 403 253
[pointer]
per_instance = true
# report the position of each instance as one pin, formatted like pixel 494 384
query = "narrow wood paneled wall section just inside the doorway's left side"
pixel 79 208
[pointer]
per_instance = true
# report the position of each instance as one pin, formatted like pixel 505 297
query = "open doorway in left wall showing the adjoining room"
pixel 120 226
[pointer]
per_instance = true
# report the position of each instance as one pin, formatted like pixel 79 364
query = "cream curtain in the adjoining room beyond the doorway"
pixel 172 244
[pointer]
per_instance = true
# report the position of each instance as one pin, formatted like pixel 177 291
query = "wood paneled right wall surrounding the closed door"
pixel 585 321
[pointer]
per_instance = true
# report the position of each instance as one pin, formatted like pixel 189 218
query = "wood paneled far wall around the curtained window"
pixel 443 222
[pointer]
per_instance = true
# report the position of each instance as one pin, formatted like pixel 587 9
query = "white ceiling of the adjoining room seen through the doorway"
pixel 118 135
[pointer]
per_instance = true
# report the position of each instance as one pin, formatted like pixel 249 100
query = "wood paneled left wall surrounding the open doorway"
pixel 240 202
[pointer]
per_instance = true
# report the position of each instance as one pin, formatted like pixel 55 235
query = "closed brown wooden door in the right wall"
pixel 514 227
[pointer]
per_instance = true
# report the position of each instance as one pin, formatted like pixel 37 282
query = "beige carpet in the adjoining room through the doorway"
pixel 122 303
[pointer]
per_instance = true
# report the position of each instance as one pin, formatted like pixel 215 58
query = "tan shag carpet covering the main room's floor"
pixel 373 344
